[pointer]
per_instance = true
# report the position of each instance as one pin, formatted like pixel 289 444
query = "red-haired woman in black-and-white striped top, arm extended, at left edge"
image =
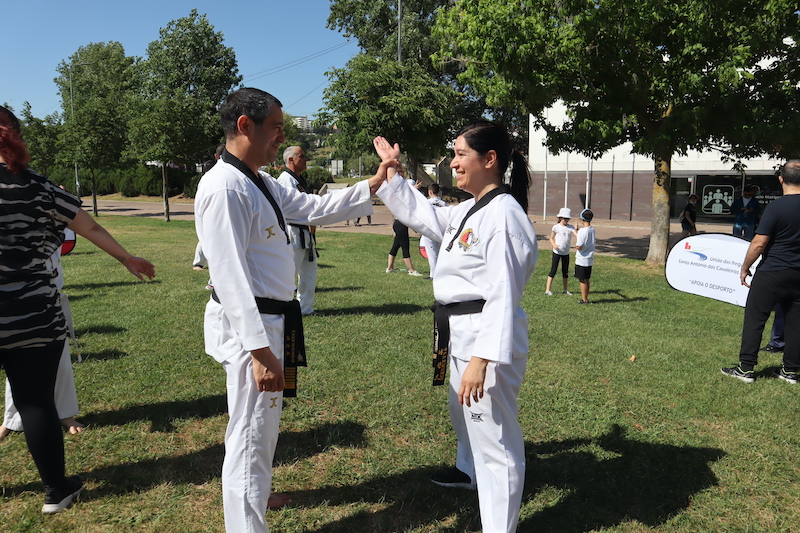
pixel 33 215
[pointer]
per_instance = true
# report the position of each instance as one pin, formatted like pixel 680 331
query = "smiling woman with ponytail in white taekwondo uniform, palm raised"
pixel 487 256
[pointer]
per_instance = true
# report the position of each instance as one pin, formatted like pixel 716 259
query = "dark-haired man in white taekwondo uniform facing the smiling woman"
pixel 240 219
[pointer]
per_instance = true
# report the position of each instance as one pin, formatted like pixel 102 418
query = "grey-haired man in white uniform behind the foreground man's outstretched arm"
pixel 302 236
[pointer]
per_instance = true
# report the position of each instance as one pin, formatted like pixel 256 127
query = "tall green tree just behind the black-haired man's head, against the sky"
pixel 186 75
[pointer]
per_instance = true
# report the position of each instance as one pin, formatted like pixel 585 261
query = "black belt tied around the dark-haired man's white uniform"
pixel 294 345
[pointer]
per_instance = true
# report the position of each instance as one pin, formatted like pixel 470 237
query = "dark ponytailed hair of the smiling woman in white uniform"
pixel 483 136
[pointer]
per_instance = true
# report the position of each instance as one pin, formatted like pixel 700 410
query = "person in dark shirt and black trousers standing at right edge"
pixel 776 281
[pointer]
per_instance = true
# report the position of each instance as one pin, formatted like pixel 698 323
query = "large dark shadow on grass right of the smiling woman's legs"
pixel 646 482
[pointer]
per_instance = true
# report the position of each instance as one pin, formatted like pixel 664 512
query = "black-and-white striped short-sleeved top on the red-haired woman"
pixel 33 215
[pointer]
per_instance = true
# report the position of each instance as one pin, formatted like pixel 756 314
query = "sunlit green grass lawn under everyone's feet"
pixel 663 443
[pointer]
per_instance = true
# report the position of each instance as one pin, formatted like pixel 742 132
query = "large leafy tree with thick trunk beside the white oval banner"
pixel 666 76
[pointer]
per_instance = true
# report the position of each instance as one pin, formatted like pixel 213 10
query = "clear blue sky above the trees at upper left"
pixel 282 47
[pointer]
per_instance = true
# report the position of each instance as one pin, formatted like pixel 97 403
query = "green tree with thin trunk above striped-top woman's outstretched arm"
pixel 93 82
